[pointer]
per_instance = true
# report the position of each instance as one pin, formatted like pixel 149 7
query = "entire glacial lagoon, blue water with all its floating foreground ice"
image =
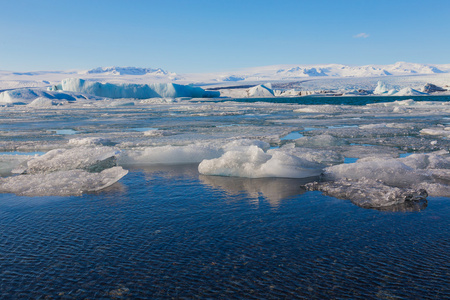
pixel 169 228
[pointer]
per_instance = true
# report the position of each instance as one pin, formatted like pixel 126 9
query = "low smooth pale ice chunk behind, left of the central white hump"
pixel 194 153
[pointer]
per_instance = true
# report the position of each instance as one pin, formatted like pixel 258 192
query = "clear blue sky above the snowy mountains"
pixel 214 35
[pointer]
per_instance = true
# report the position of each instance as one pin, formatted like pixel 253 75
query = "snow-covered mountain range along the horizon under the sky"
pixel 9 79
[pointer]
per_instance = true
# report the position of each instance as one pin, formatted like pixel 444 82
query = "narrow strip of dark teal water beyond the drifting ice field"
pixel 338 100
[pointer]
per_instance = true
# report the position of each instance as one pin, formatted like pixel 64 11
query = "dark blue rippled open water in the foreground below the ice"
pixel 170 233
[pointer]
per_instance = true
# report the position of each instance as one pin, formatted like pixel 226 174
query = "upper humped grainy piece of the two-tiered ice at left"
pixel 92 159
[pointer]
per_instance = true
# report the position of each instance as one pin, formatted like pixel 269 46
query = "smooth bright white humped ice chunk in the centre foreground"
pixel 253 162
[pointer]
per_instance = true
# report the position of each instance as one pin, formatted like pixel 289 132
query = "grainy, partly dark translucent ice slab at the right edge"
pixel 375 182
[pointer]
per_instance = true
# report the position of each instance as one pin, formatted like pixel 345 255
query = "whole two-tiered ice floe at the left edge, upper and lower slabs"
pixel 61 172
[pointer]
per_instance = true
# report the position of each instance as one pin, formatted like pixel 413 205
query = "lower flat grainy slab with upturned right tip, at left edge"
pixel 61 183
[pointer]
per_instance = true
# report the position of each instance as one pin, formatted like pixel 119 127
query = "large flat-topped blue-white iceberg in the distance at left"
pixel 137 91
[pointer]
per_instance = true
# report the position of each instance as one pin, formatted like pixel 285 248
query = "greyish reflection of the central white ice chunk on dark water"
pixel 272 189
